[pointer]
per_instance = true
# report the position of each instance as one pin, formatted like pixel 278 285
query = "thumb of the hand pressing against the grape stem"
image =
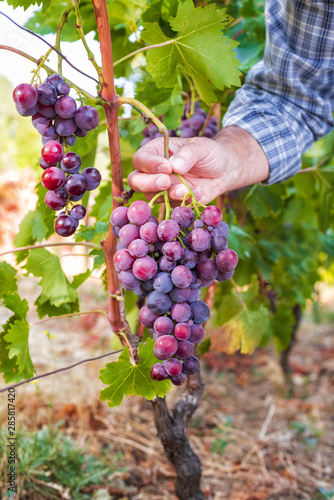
pixel 188 155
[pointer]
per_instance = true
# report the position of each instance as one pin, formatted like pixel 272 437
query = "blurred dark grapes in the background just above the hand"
pixel 190 127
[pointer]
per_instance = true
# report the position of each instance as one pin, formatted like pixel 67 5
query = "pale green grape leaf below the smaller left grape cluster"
pixel 55 286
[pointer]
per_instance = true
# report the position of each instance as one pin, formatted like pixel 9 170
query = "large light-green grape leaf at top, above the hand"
pixel 199 48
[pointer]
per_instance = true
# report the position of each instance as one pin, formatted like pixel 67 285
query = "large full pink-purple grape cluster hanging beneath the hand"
pixel 168 263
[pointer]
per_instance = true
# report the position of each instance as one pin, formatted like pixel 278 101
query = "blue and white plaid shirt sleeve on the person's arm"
pixel 287 101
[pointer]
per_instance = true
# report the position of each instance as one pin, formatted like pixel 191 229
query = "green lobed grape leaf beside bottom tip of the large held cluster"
pixel 125 379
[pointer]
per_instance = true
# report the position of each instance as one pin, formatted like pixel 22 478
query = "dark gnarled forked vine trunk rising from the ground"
pixel 172 431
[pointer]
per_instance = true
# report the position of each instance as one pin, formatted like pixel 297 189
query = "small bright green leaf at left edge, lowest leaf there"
pixel 17 337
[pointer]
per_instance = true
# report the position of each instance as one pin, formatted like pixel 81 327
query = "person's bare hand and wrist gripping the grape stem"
pixel 233 159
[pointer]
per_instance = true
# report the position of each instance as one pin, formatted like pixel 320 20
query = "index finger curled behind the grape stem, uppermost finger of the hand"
pixel 150 158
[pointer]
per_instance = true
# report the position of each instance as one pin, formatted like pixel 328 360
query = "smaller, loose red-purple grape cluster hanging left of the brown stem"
pixel 55 115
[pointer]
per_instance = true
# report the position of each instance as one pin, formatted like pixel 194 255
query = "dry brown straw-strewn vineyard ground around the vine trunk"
pixel 257 441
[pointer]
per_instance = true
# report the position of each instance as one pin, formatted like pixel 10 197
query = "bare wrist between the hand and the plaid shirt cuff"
pixel 243 160
